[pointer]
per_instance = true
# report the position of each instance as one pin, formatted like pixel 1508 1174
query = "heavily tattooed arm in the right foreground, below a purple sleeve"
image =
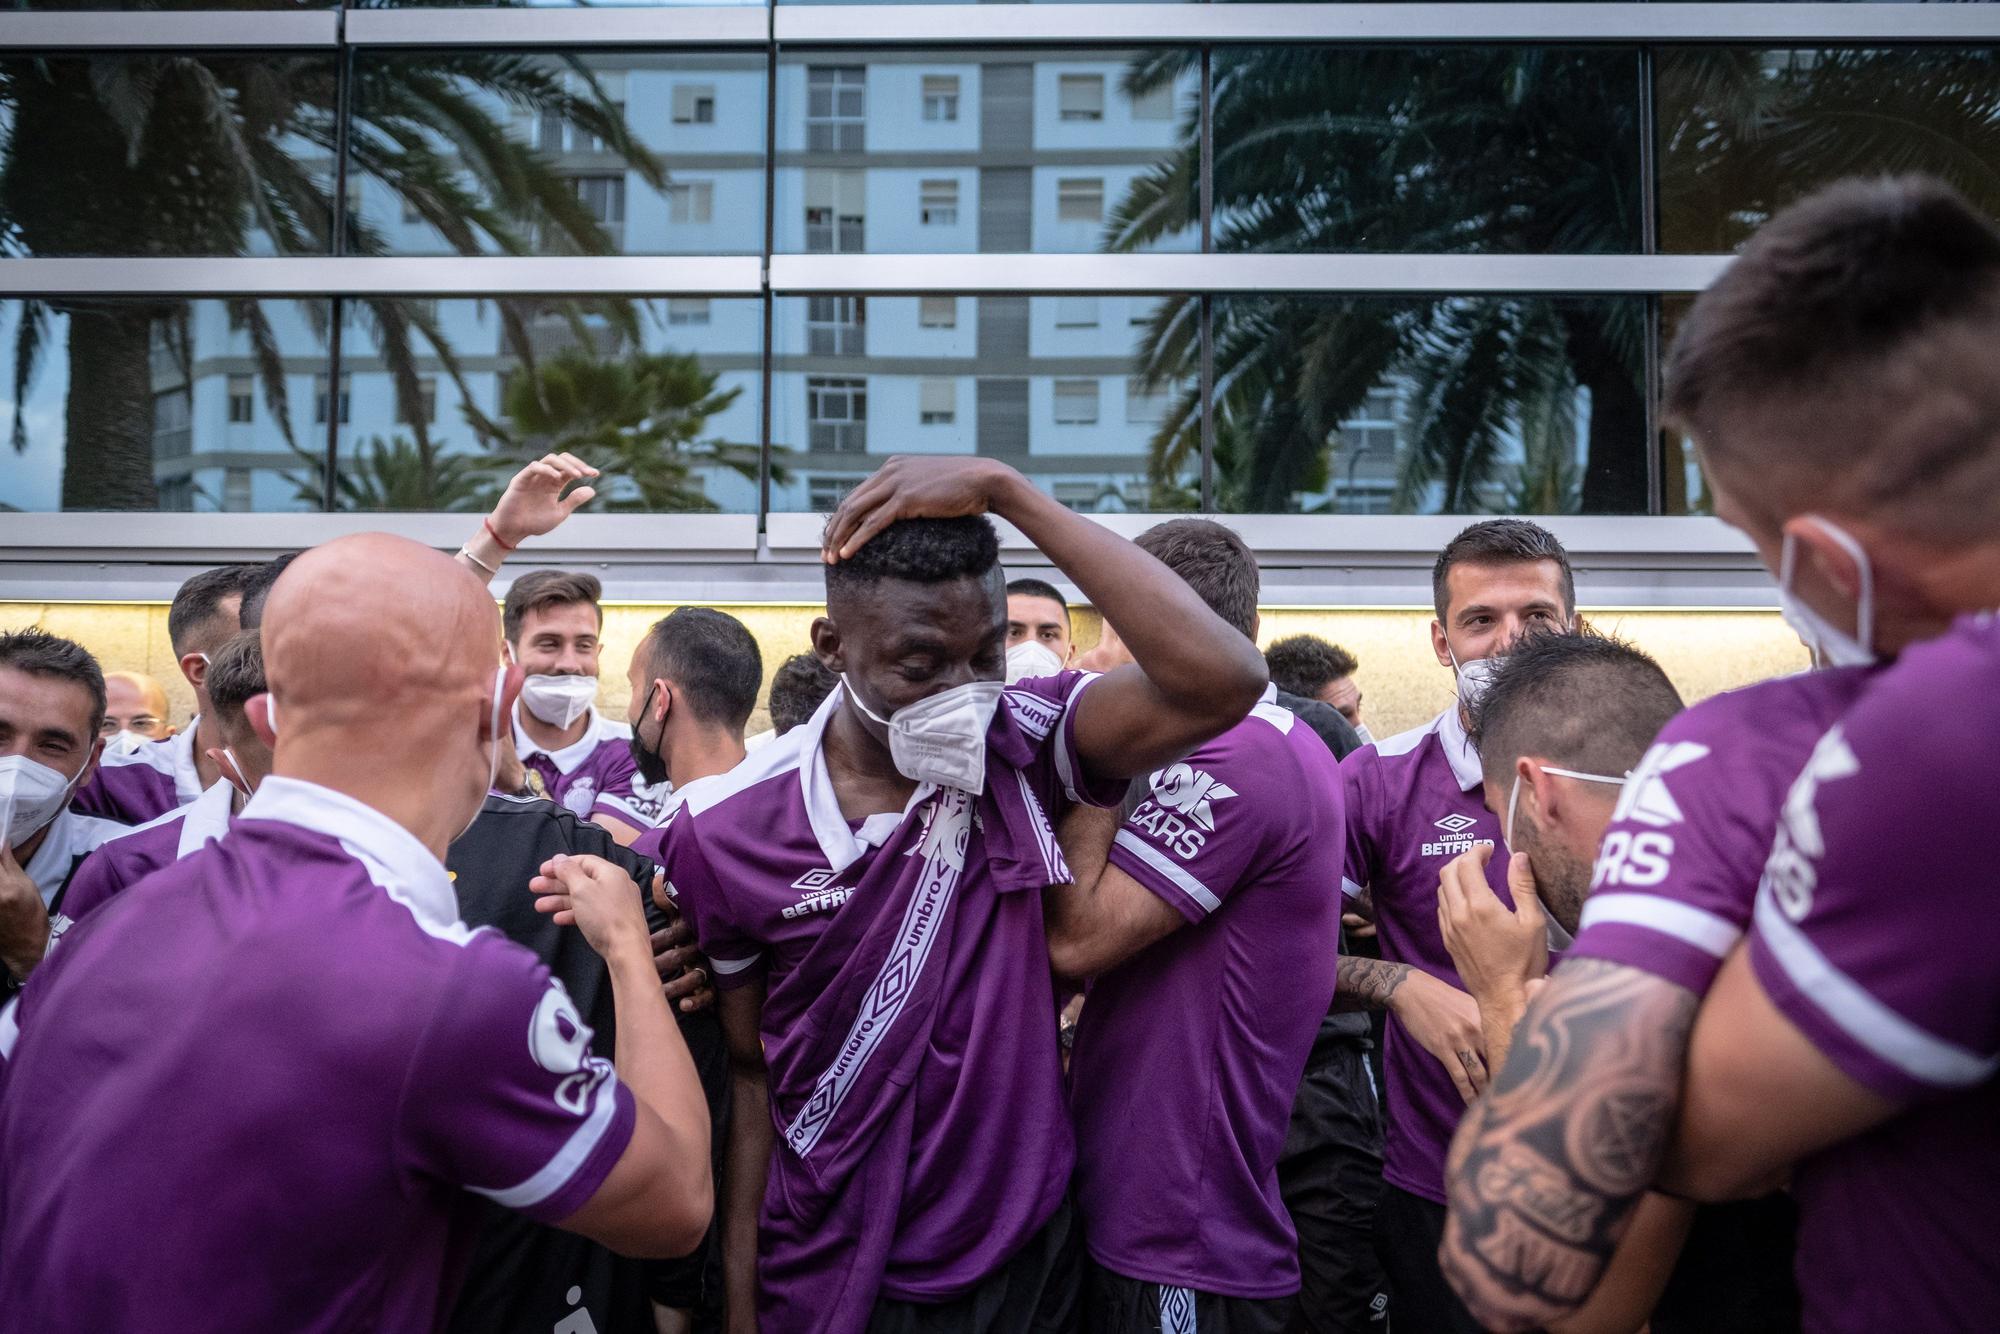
pixel 1545 1173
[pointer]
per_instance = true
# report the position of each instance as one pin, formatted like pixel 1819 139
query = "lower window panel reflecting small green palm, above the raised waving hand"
pixel 661 395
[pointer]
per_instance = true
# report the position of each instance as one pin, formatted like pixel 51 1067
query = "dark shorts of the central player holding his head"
pixel 1035 1293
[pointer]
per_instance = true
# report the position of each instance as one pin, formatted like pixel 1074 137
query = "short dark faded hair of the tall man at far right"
pixel 1857 333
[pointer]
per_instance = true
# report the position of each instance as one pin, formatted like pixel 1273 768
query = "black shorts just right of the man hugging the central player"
pixel 1331 1177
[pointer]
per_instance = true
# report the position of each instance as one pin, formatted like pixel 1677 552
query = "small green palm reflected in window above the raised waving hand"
pixel 637 417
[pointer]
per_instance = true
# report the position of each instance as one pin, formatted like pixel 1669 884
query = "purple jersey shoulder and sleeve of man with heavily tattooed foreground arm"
pixel 1679 865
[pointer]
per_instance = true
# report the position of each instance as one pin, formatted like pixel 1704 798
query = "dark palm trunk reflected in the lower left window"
pixel 109 413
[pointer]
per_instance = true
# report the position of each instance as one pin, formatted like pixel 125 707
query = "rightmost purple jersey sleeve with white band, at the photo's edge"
pixel 1877 925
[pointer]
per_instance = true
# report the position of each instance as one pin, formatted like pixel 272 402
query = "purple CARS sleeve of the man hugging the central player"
pixel 1205 825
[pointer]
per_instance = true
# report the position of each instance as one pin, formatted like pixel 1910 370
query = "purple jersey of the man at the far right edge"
pixel 1877 933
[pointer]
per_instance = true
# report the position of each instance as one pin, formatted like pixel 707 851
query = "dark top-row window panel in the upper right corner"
pixel 1747 131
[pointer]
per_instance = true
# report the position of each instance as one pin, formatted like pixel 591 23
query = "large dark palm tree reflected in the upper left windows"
pixel 223 155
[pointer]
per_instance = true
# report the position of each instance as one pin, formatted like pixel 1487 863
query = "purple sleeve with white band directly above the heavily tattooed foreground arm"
pixel 1679 863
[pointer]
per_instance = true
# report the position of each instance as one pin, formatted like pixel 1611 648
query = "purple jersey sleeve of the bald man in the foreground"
pixel 503 1095
